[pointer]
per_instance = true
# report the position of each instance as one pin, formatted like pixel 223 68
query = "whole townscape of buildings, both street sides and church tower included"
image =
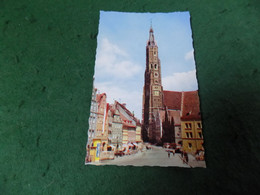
pixel 174 114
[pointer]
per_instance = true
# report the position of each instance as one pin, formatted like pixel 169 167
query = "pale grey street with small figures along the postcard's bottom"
pixel 157 156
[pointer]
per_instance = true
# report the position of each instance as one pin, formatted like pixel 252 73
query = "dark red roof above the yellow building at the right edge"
pixel 191 106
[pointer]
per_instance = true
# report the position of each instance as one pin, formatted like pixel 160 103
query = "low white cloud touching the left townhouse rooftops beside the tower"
pixel 133 99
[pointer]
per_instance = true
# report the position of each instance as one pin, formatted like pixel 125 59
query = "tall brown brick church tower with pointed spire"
pixel 152 93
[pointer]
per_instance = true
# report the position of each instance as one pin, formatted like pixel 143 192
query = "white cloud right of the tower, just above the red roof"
pixel 182 81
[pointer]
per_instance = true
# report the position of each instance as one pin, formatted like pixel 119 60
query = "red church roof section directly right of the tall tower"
pixel 172 99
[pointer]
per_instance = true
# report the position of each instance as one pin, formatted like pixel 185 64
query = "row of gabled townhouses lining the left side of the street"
pixel 112 128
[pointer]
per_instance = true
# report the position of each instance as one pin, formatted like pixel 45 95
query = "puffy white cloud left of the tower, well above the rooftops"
pixel 114 61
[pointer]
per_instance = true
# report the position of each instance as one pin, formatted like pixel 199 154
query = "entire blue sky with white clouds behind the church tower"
pixel 120 60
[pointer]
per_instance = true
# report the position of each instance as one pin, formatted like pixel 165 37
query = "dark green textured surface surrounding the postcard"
pixel 47 55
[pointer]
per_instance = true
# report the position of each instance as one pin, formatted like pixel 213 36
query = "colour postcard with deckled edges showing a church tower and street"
pixel 145 107
